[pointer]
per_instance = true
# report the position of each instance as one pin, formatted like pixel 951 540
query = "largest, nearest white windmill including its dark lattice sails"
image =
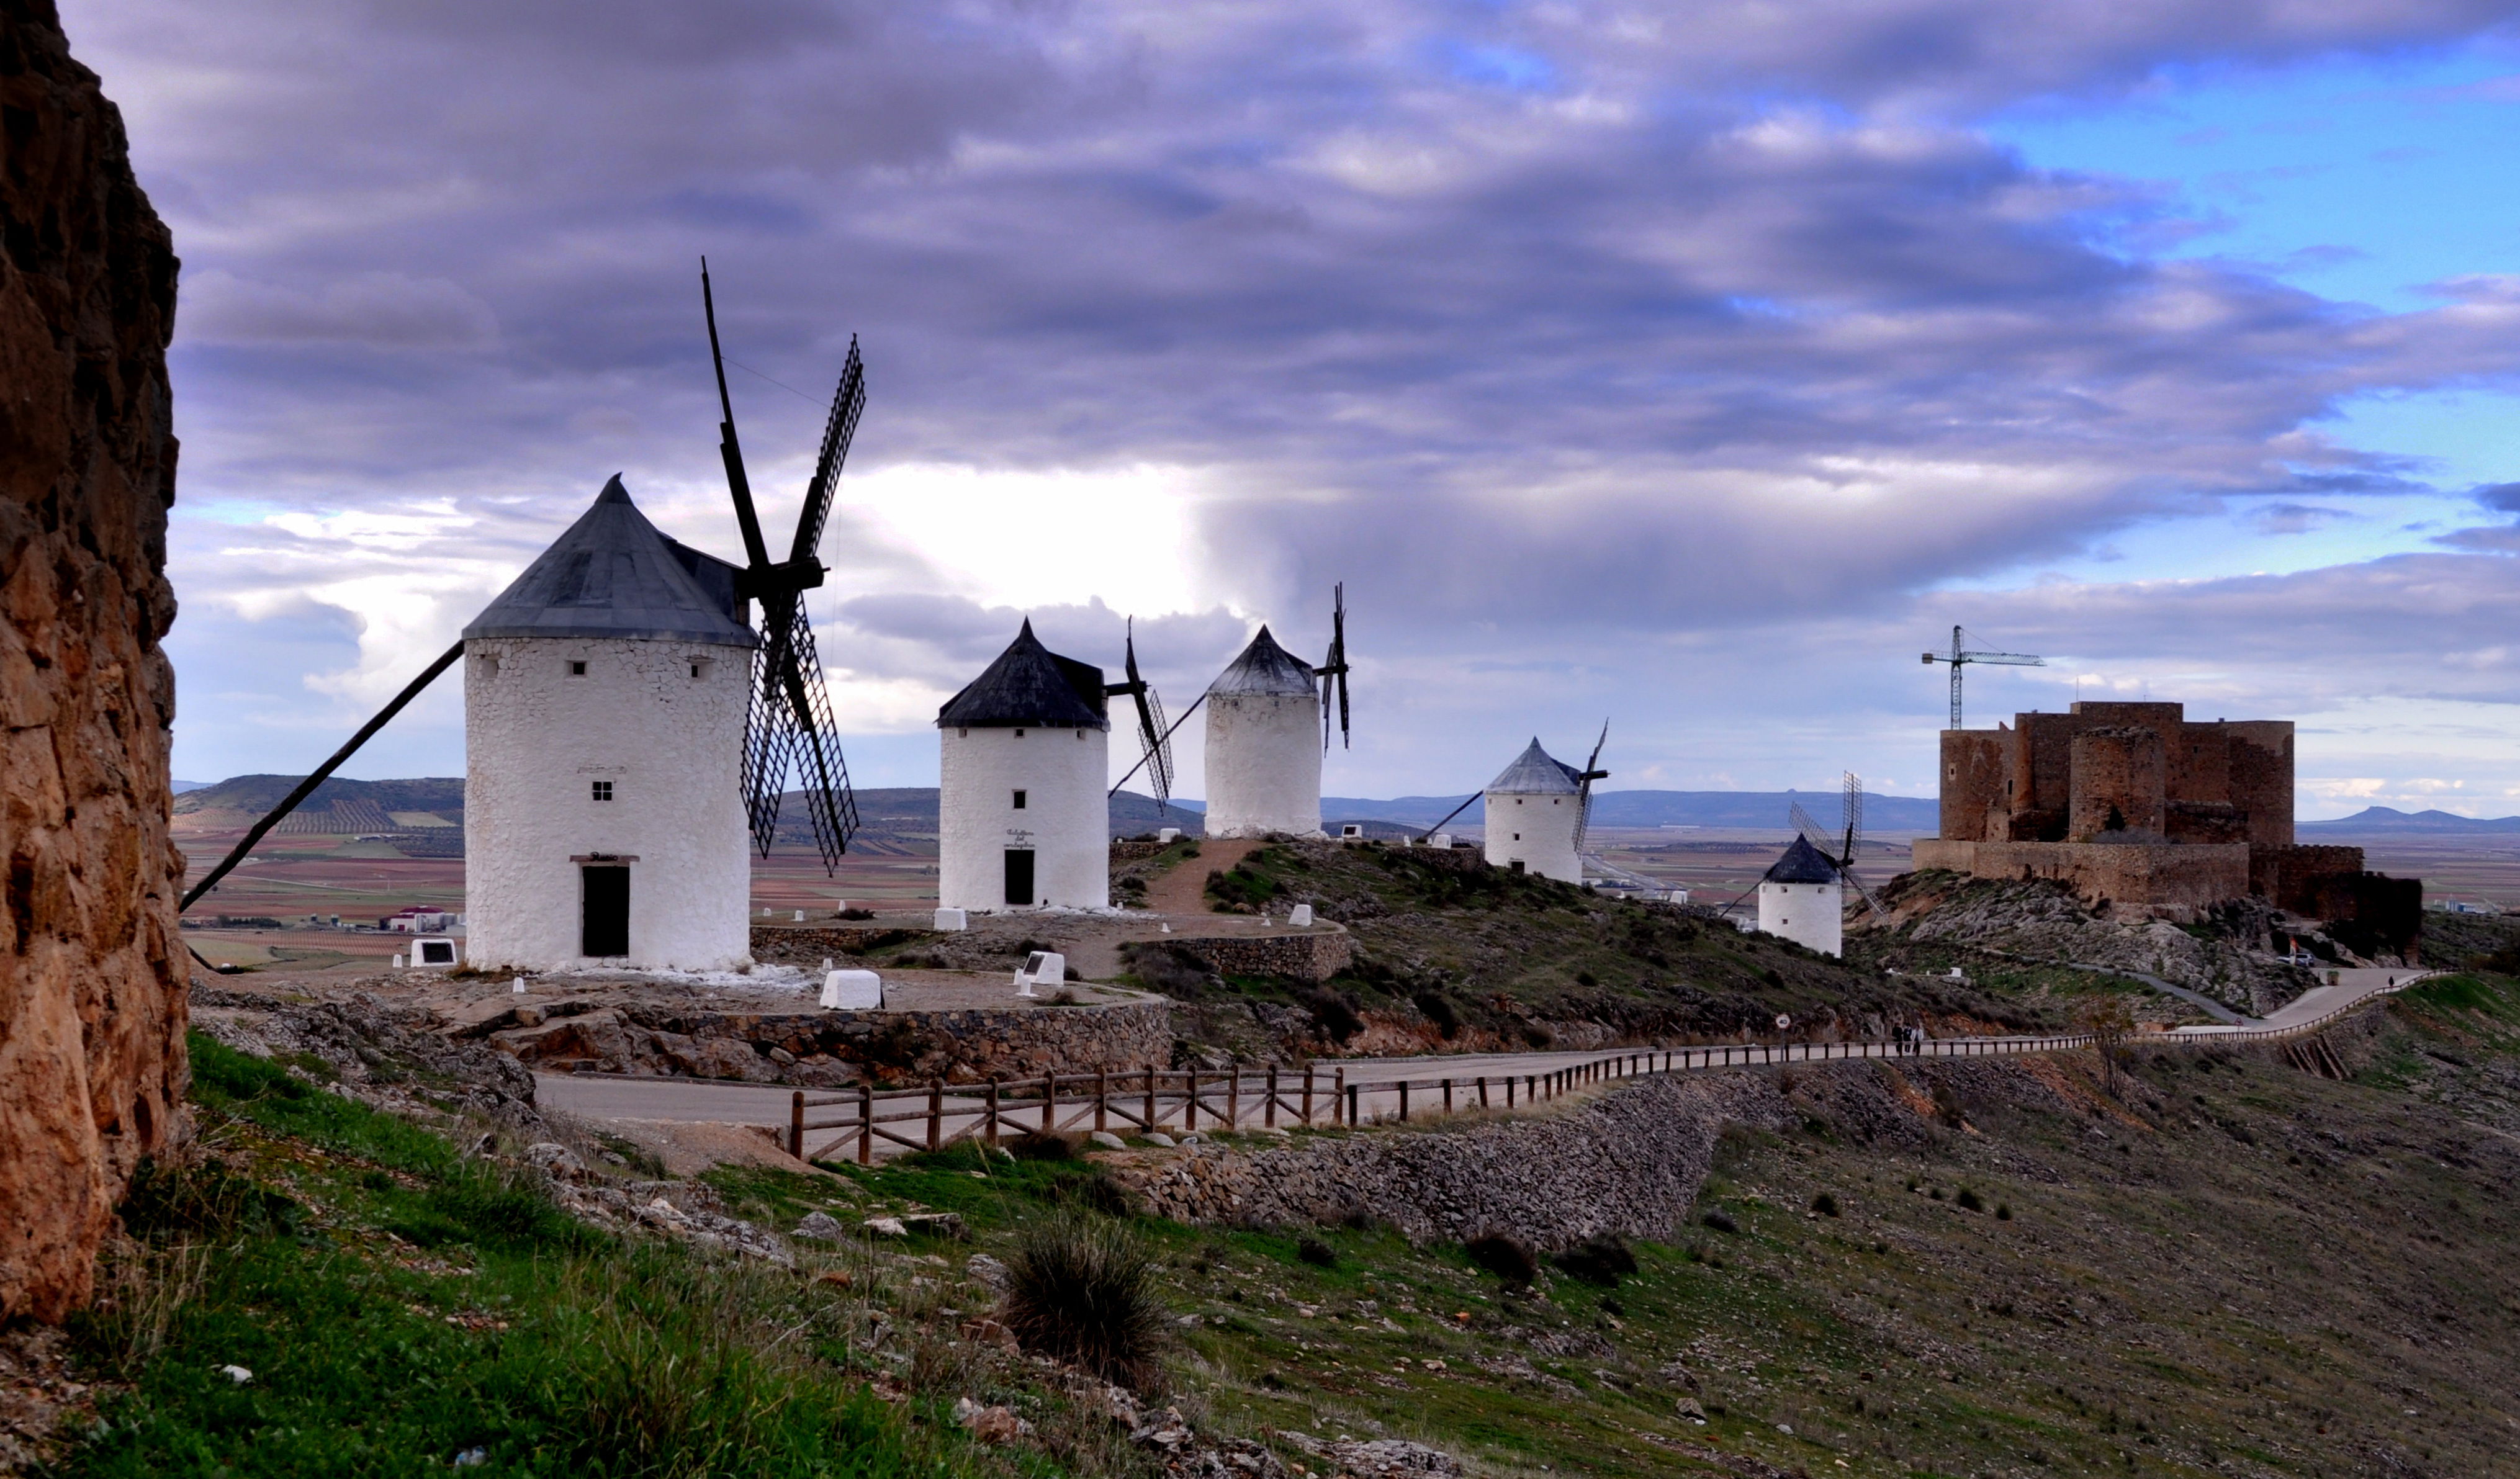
pixel 629 724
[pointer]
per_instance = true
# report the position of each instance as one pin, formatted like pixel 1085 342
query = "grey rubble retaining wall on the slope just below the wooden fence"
pixel 1627 1163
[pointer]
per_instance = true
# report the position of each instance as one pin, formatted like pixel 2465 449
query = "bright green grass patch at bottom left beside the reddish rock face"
pixel 399 1306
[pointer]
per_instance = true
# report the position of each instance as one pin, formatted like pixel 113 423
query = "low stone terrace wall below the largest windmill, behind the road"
pixel 830 1049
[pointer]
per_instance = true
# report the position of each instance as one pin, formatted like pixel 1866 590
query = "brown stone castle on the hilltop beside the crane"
pixel 2141 808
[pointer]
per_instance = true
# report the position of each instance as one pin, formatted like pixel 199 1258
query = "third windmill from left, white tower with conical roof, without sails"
pixel 1264 745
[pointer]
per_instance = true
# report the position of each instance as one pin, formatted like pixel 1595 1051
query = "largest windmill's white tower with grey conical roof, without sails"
pixel 604 734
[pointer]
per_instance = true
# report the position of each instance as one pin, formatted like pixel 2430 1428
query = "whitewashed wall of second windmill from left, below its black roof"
pixel 1065 818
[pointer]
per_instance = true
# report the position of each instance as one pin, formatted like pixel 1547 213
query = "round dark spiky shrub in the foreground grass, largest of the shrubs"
pixel 1082 1291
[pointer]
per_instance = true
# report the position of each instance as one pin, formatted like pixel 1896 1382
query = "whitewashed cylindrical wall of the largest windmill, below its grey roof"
pixel 669 742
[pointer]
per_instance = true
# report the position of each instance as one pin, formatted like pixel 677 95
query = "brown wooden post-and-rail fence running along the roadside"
pixel 1188 1100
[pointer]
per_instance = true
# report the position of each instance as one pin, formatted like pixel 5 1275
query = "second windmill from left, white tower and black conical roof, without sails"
pixel 1022 785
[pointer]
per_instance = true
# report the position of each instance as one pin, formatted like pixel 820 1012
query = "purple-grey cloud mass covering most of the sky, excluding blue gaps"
pixel 1586 321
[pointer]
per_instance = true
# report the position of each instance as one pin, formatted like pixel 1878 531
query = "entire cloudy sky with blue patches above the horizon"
pixel 1687 367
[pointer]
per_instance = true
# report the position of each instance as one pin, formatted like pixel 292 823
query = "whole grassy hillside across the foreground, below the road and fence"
pixel 2211 1266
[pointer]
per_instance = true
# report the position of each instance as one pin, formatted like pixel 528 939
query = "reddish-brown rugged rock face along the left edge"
pixel 92 1004
